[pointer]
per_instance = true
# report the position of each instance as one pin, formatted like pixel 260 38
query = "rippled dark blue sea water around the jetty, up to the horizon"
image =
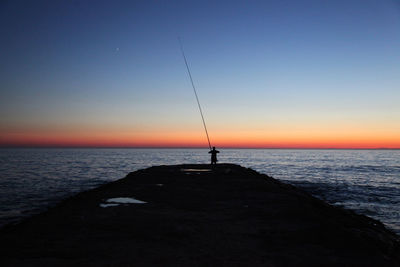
pixel 366 181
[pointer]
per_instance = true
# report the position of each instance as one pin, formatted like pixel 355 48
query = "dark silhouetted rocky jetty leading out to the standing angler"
pixel 230 216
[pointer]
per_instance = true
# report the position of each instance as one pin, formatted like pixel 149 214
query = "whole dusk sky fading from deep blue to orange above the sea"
pixel 269 74
